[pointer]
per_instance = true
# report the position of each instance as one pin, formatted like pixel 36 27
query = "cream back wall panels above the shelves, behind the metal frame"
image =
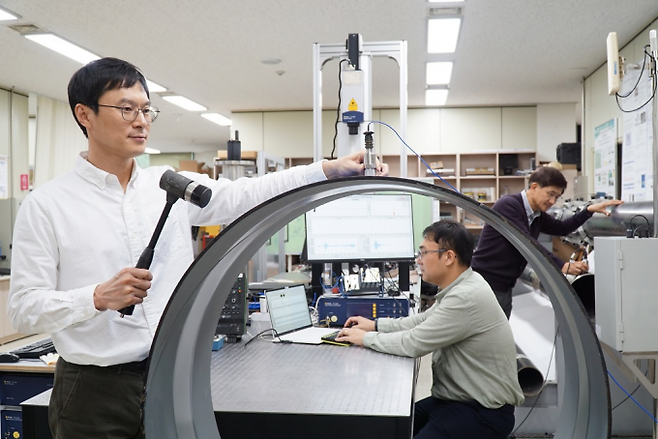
pixel 429 130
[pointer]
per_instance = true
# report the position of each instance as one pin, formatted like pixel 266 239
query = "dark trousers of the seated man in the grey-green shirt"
pixel 439 419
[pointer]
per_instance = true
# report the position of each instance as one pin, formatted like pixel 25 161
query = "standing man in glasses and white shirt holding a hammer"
pixel 78 238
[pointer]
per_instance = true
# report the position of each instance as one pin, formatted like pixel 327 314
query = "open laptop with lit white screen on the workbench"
pixel 291 318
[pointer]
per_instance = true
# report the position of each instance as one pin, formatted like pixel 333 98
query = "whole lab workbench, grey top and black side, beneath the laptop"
pixel 271 390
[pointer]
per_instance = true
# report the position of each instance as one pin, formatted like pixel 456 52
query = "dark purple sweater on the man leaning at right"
pixel 497 260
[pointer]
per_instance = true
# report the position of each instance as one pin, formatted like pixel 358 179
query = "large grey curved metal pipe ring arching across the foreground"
pixel 178 396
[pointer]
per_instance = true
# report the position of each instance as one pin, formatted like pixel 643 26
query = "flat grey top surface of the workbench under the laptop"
pixel 311 379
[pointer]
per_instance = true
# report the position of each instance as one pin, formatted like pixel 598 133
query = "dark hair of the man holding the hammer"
pixel 89 83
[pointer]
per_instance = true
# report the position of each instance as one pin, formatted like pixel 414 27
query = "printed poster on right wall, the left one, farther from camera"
pixel 605 158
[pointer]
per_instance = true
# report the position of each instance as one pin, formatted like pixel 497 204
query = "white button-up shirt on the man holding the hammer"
pixel 81 229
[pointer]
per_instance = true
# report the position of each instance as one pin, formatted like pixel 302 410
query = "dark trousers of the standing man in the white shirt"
pixel 97 402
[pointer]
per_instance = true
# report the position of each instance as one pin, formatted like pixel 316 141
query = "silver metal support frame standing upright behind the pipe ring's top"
pixel 322 53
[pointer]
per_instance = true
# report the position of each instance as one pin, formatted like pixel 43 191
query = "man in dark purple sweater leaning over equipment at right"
pixel 499 262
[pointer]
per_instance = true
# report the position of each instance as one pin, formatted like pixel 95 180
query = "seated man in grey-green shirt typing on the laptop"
pixel 475 385
